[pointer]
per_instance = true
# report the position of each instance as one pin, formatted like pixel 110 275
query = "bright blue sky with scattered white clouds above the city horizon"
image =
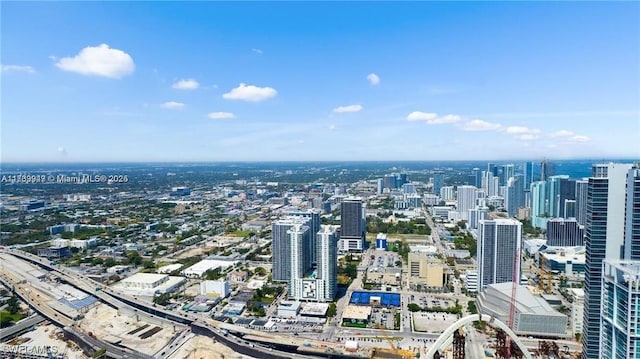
pixel 211 81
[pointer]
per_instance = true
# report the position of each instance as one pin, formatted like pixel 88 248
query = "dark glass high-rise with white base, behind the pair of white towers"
pixel 352 225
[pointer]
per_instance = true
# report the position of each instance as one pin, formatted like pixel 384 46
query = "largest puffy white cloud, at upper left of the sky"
pixel 100 60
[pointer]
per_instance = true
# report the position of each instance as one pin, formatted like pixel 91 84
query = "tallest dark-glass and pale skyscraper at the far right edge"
pixel 605 229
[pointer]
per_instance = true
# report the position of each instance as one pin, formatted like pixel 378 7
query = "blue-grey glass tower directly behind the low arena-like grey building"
pixel 499 244
